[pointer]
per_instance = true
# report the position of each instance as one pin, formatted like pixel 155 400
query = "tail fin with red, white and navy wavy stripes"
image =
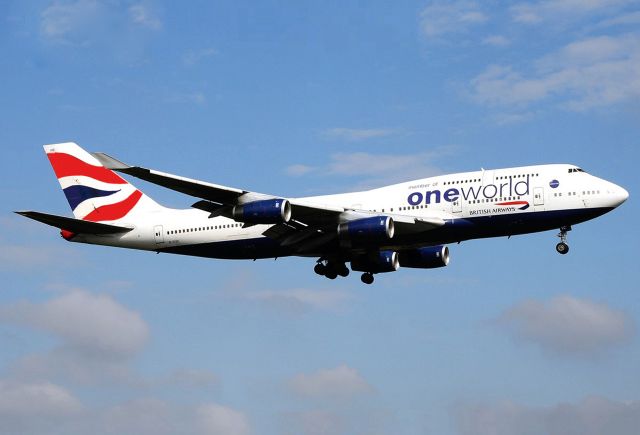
pixel 94 192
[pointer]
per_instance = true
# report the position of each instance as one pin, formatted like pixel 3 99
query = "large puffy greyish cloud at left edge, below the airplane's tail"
pixel 97 336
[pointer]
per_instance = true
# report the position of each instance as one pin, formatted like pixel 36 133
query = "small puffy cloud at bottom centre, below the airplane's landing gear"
pixel 342 381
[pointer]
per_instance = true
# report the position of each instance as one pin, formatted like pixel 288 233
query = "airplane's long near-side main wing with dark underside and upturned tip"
pixel 310 223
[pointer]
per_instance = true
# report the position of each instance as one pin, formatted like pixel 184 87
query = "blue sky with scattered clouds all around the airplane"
pixel 302 98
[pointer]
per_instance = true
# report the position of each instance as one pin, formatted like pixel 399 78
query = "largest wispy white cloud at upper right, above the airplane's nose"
pixel 585 74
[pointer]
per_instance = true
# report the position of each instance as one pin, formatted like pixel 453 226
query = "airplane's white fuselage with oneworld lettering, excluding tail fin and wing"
pixel 538 197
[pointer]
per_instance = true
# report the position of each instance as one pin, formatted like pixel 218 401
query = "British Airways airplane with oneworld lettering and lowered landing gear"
pixel 376 231
